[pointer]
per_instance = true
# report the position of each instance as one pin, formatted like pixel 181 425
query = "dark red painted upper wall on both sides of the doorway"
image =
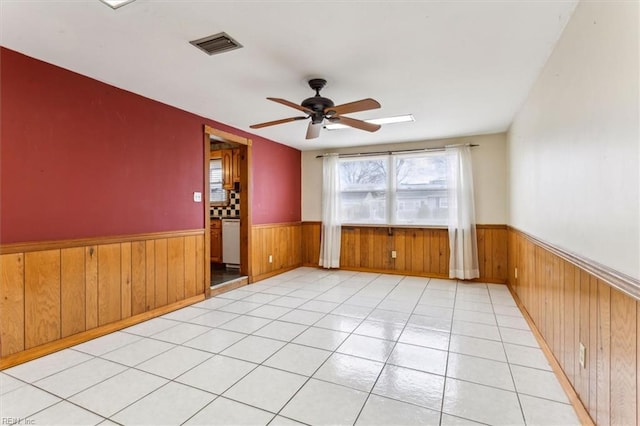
pixel 80 158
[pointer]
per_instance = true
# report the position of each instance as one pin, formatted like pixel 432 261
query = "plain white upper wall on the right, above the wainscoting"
pixel 573 148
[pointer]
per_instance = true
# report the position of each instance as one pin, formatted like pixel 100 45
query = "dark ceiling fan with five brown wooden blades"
pixel 319 108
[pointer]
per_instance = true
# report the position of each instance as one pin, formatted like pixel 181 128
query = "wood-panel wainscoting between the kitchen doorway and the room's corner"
pixel 281 241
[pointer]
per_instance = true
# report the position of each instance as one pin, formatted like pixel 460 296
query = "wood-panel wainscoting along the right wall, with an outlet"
pixel 571 303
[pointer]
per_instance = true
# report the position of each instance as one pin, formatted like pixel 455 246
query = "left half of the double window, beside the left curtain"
pixel 363 190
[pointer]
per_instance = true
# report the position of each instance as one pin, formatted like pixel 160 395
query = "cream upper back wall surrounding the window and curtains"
pixel 489 170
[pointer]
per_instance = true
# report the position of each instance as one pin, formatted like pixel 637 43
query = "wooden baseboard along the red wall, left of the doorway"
pixel 66 342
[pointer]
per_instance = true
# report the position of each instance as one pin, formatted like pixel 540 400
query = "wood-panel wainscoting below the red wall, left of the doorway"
pixel 52 290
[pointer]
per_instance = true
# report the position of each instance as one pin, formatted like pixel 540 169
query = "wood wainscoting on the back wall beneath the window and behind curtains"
pixel 419 251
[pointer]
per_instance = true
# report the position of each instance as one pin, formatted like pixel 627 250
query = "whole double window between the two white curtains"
pixel 408 189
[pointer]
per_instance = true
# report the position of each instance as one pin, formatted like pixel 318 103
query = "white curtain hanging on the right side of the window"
pixel 463 262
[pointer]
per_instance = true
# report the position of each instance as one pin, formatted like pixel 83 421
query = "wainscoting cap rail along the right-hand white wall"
pixel 618 280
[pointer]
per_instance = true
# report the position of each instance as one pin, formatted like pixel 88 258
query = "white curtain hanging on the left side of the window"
pixel 331 229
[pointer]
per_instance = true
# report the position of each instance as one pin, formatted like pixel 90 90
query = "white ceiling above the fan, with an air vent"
pixel 460 67
